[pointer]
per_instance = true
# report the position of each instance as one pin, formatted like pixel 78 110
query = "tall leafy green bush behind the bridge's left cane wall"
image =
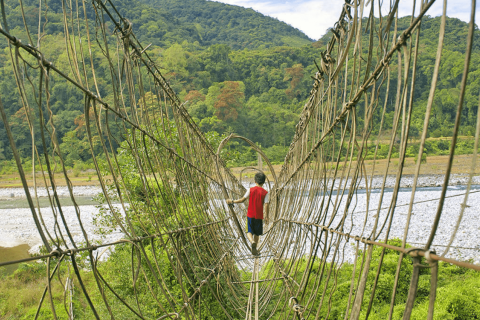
pixel 171 252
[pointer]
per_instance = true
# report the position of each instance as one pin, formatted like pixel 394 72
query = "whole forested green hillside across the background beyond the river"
pixel 237 70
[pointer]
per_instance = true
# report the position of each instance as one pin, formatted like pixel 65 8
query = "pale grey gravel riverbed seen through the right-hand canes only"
pixel 466 239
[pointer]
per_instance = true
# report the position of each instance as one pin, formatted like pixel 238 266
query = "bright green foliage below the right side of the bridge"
pixel 458 290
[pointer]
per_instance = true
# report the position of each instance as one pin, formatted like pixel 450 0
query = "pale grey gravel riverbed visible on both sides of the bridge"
pixel 17 225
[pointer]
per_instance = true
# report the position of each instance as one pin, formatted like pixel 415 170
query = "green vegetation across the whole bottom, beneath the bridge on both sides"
pixel 458 293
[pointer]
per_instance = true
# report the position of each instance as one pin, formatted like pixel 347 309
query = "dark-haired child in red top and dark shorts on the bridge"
pixel 257 198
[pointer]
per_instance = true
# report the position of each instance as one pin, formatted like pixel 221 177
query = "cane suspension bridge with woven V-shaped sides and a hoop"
pixel 185 180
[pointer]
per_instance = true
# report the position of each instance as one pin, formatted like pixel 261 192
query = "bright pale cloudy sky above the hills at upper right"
pixel 314 17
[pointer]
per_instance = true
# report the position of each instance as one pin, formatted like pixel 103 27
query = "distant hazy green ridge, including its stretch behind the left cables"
pixel 165 22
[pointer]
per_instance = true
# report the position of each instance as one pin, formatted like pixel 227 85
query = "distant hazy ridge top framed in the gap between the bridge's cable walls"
pixel 238 27
